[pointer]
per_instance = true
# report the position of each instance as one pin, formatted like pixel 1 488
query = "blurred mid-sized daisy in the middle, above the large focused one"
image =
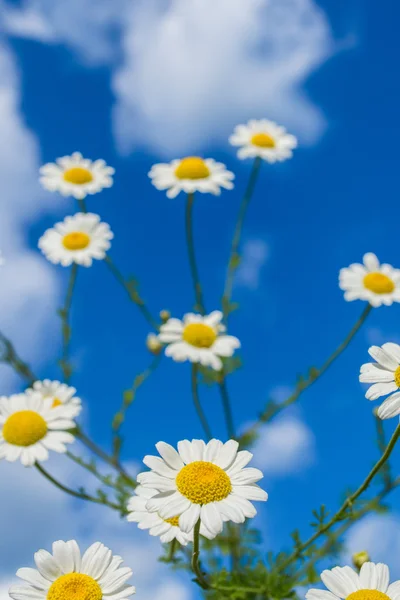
pixel 198 339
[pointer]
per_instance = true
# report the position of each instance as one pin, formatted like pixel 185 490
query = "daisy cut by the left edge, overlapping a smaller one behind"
pixel 30 427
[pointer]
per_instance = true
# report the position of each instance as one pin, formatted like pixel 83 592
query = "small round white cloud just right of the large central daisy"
pixel 286 446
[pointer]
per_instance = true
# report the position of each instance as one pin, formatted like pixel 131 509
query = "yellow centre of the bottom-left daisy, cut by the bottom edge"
pixel 75 586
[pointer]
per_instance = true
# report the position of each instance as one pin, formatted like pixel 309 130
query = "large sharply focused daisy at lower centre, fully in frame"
pixel 206 481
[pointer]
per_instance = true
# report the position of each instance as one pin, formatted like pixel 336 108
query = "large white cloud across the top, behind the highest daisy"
pixel 185 73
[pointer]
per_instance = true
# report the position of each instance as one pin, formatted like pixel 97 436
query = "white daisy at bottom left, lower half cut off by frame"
pixel 66 575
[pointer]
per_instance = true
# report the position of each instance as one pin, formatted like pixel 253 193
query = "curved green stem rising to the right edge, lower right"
pixel 346 504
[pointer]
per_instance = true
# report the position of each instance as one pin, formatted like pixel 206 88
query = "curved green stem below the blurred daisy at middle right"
pixel 273 409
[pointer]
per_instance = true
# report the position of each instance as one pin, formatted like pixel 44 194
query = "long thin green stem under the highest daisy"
pixel 234 256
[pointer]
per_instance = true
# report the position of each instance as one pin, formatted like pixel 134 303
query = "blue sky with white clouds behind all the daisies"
pixel 130 86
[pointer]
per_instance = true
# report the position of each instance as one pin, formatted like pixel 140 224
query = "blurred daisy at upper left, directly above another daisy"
pixel 76 176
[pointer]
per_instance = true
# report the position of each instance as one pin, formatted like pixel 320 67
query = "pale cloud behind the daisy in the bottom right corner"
pixel 379 535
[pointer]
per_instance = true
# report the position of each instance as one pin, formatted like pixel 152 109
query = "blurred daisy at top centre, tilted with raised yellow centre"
pixel 191 174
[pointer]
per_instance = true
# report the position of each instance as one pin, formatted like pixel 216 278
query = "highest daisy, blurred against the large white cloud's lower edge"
pixel 264 139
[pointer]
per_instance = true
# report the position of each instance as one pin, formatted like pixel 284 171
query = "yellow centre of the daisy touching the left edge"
pixel 24 428
